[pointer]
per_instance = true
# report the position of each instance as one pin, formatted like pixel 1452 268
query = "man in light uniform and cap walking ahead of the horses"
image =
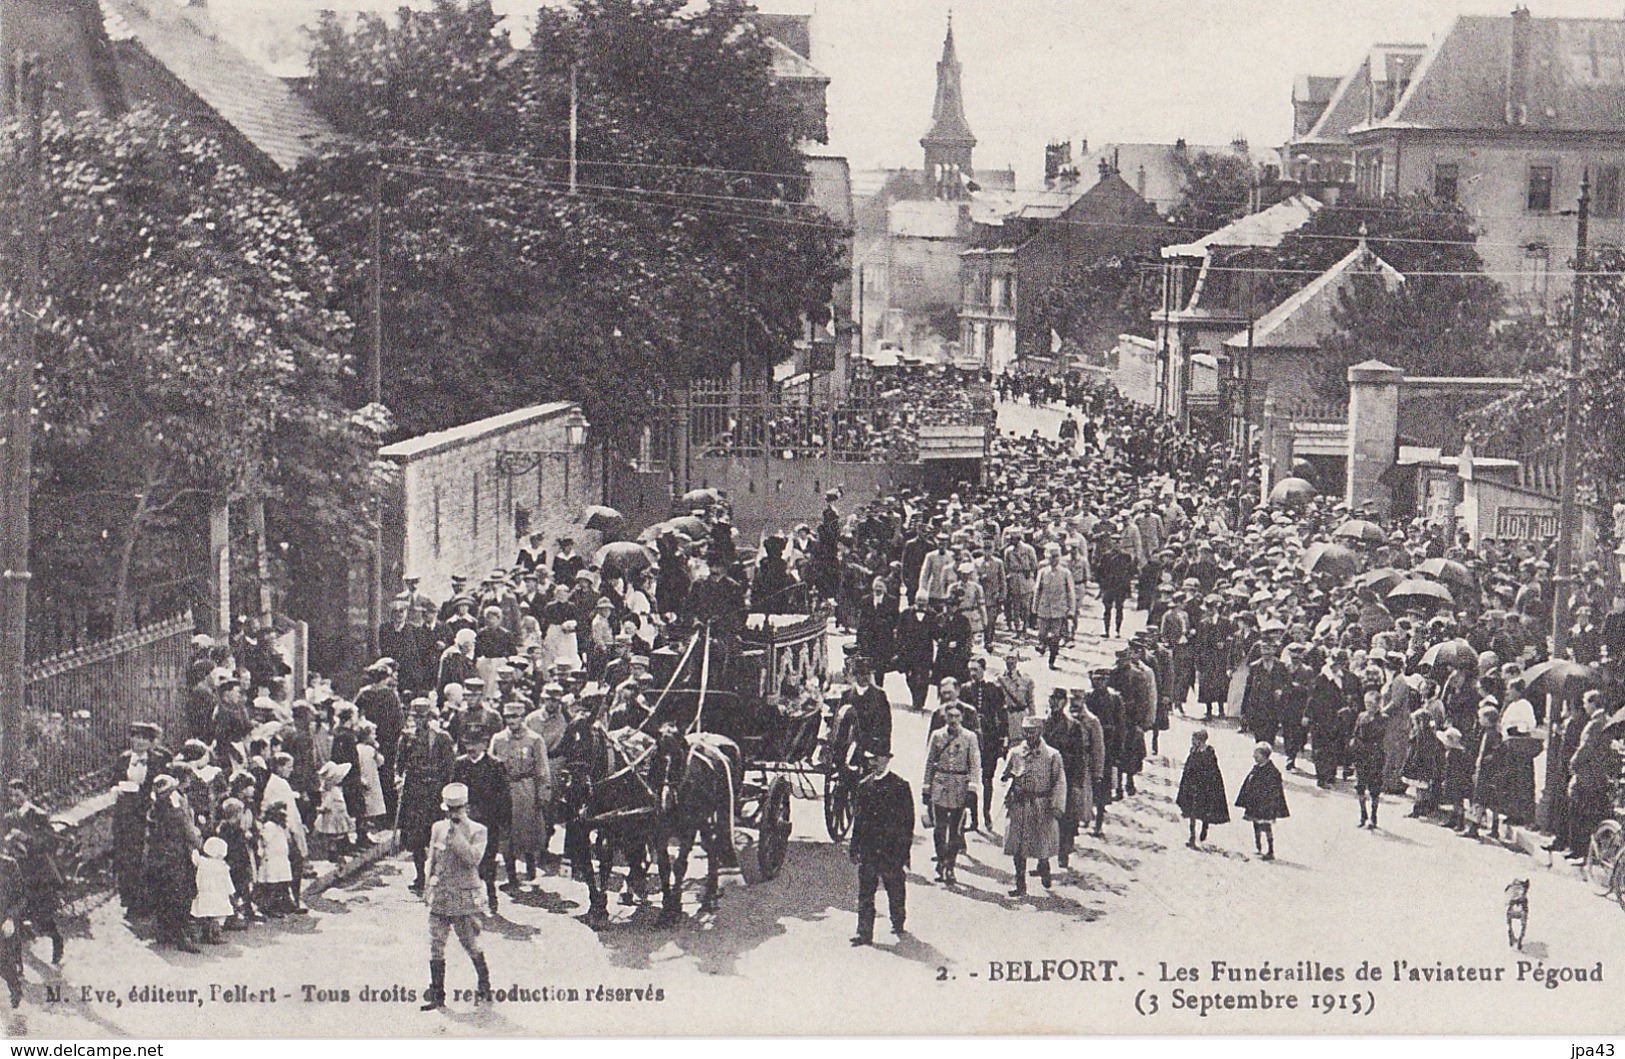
pixel 457 847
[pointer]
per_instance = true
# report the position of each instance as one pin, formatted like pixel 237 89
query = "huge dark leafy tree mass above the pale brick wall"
pixel 687 246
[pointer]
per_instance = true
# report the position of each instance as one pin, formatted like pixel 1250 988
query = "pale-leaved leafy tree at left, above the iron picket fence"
pixel 191 352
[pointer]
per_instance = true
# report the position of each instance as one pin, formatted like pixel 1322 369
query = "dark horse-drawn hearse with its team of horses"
pixel 739 728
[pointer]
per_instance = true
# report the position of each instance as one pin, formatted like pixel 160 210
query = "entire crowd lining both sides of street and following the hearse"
pixel 1246 620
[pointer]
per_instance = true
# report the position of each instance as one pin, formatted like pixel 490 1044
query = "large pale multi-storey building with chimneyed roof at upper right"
pixel 1506 116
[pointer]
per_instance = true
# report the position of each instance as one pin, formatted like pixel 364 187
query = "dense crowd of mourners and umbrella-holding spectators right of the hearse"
pixel 1418 696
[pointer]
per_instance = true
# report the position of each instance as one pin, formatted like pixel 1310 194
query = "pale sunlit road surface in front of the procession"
pixel 776 959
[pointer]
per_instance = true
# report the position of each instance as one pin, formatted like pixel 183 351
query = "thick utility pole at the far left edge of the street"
pixel 19 335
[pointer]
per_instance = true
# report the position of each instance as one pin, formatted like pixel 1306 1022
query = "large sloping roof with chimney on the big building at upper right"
pixel 1575 77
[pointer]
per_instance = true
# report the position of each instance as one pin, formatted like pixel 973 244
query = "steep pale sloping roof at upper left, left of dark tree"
pixel 266 111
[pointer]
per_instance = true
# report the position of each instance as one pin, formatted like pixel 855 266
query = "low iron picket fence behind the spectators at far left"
pixel 80 706
